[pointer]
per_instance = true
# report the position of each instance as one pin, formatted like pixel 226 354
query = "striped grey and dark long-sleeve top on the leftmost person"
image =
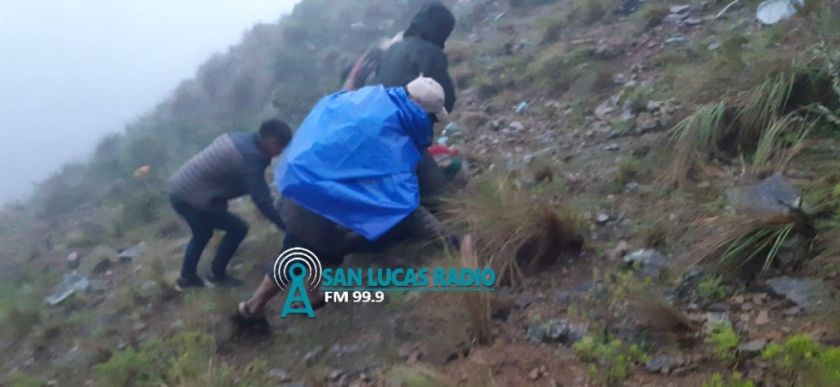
pixel 230 167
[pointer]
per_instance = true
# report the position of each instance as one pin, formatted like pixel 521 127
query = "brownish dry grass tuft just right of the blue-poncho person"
pixel 512 227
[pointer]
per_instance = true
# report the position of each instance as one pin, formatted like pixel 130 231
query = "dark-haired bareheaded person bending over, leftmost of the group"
pixel 233 165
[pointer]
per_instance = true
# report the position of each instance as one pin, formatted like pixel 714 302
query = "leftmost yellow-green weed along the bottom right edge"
pixel 610 359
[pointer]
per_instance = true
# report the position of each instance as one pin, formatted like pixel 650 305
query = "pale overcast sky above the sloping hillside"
pixel 73 70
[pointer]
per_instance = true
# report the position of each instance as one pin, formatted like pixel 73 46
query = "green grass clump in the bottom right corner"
pixel 801 360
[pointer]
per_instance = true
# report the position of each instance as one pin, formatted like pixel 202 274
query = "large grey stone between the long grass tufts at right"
pixel 771 195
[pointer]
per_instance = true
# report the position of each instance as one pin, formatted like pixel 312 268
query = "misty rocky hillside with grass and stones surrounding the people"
pixel 654 181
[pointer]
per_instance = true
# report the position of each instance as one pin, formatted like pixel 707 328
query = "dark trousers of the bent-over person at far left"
pixel 203 223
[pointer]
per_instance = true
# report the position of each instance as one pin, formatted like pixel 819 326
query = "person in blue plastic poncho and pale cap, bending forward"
pixel 348 178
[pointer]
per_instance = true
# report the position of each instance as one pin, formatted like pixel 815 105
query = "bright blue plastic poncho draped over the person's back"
pixel 353 159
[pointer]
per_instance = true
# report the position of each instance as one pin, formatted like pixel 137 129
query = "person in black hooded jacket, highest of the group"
pixel 421 52
